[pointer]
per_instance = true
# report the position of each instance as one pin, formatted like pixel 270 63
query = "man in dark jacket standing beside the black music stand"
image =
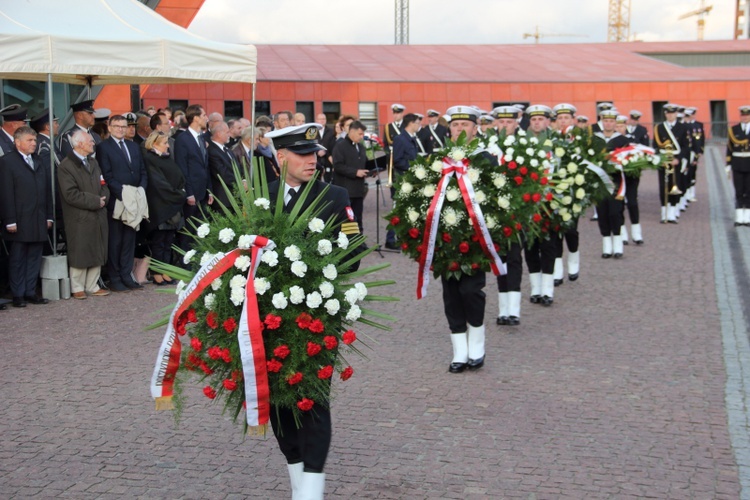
pixel 349 167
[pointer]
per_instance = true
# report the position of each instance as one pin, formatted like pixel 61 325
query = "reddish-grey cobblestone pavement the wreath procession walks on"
pixel 619 390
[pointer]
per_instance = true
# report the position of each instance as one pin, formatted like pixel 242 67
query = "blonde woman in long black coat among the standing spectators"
pixel 166 195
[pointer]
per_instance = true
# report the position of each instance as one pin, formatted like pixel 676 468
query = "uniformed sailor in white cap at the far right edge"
pixel 738 166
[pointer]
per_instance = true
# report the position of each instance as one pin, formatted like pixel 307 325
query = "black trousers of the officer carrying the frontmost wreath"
pixel 310 443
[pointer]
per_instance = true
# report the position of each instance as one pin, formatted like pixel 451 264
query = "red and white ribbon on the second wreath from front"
pixel 459 169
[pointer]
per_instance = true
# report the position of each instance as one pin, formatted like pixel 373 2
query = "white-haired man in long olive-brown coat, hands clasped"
pixel 84 197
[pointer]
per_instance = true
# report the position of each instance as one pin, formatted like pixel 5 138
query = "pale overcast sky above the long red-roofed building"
pixel 451 22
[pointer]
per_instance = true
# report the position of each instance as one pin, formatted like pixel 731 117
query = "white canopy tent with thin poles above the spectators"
pixel 99 42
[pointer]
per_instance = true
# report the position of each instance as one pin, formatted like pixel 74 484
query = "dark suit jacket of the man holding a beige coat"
pixel 116 169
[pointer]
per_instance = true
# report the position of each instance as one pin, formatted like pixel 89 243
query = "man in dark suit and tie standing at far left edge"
pixel 26 212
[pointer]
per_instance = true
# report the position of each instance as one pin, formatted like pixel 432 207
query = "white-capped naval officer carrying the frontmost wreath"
pixel 305 445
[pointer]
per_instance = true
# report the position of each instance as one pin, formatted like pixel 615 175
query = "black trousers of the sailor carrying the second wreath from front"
pixel 463 301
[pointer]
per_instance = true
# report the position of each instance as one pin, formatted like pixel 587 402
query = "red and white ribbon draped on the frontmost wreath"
pixel 249 335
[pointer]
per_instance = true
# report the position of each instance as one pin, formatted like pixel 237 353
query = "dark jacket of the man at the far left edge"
pixel 25 198
